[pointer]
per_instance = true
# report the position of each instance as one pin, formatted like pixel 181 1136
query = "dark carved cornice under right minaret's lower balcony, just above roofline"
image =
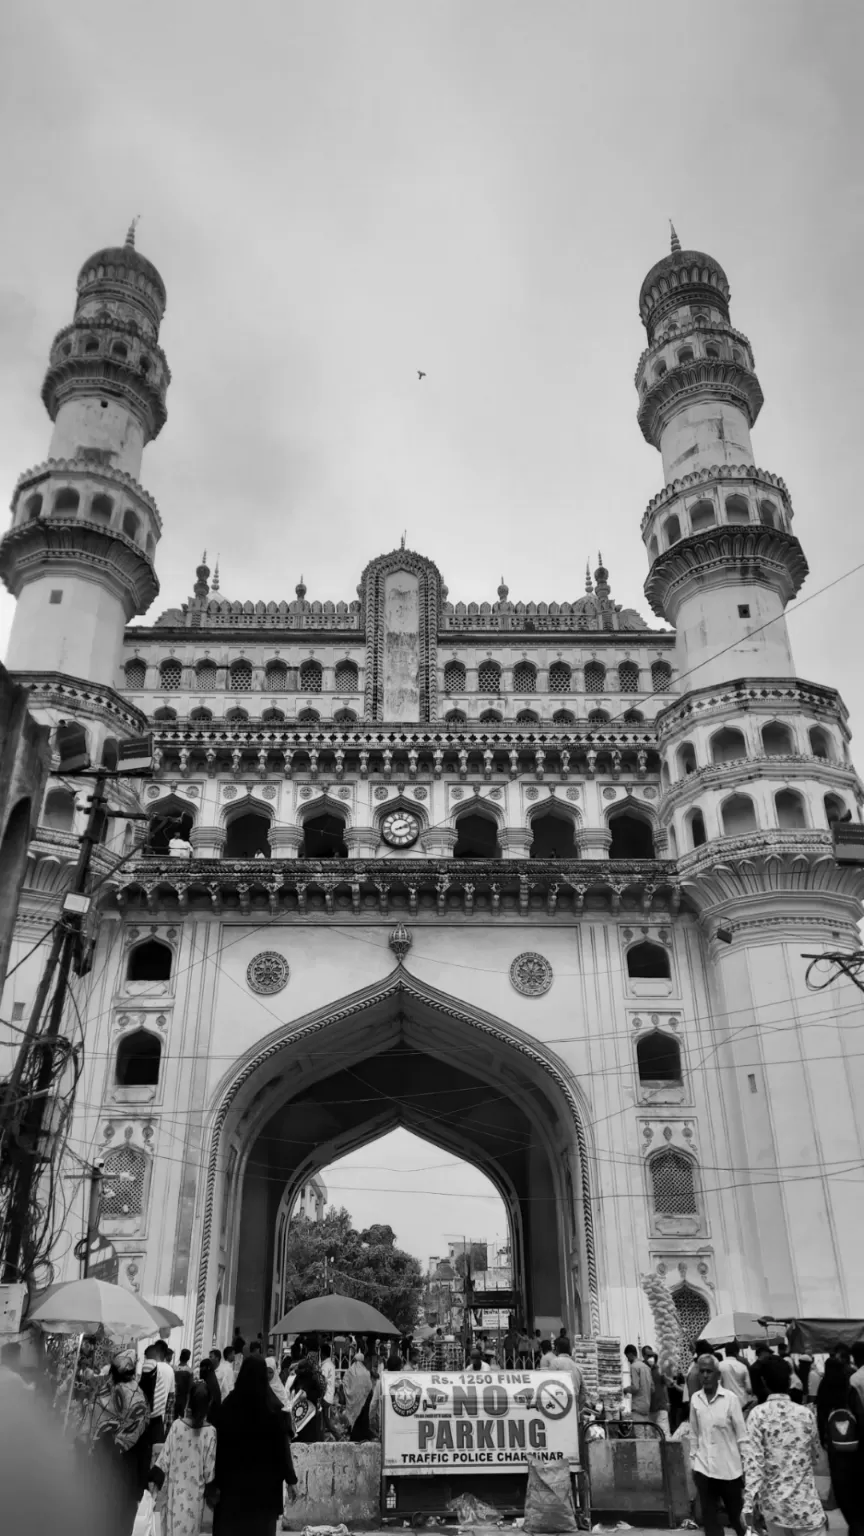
pixel 757 554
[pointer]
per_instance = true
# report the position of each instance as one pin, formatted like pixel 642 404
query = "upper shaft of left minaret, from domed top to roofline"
pixel 81 552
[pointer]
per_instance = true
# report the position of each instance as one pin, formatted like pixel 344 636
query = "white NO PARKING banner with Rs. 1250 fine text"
pixel 477 1422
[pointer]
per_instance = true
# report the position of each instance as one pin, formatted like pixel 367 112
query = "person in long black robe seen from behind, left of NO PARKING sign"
pixel 253 1462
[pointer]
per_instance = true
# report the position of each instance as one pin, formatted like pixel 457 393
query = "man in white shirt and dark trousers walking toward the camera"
pixel 717 1435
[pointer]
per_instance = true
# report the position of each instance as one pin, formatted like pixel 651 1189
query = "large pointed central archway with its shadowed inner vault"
pixel 399 1054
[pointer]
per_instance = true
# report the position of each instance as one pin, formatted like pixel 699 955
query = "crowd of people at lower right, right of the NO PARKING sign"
pixel 759 1432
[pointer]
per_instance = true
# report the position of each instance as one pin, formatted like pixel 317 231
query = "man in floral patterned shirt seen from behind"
pixel 783 1454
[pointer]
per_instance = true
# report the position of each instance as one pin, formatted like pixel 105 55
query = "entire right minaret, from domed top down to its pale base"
pixel 756 773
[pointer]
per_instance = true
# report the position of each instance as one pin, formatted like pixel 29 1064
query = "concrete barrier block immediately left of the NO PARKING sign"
pixel 336 1483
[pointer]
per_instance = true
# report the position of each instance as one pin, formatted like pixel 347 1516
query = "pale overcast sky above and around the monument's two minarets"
pixel 339 194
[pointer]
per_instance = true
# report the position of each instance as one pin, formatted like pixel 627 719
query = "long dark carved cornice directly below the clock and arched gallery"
pixel 425 890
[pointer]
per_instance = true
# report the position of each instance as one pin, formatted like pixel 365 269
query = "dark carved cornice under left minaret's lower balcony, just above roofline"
pixel 38 548
